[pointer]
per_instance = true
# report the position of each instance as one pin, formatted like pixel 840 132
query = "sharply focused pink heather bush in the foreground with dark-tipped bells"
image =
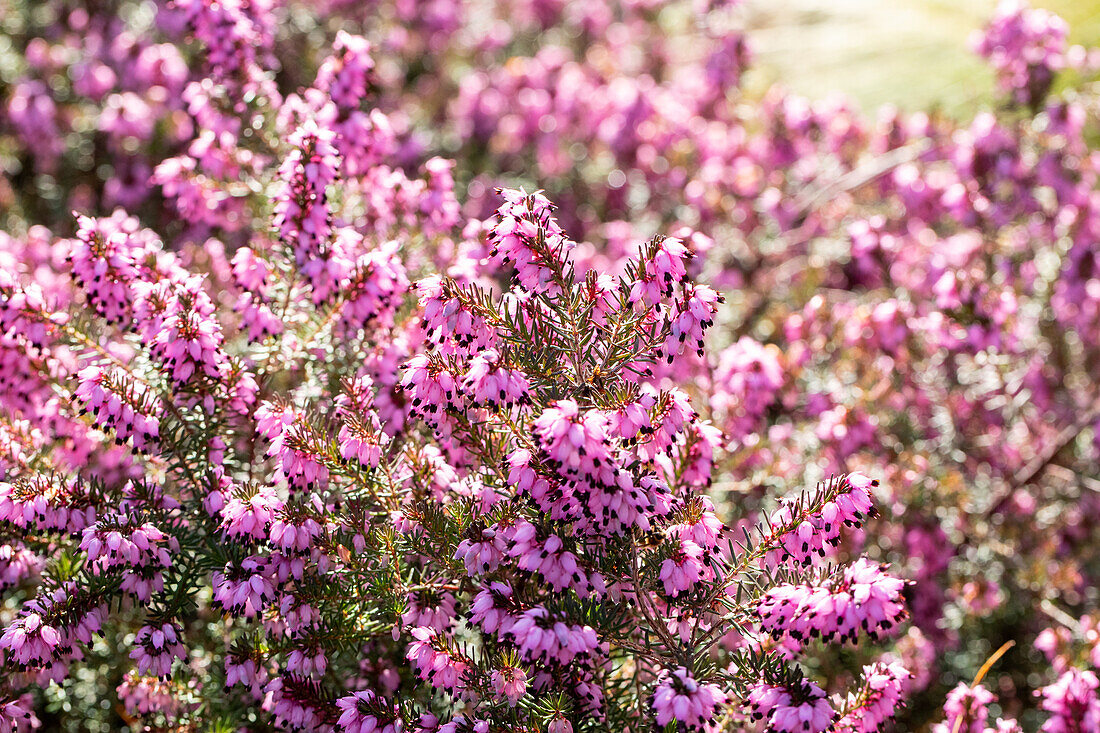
pixel 519 523
